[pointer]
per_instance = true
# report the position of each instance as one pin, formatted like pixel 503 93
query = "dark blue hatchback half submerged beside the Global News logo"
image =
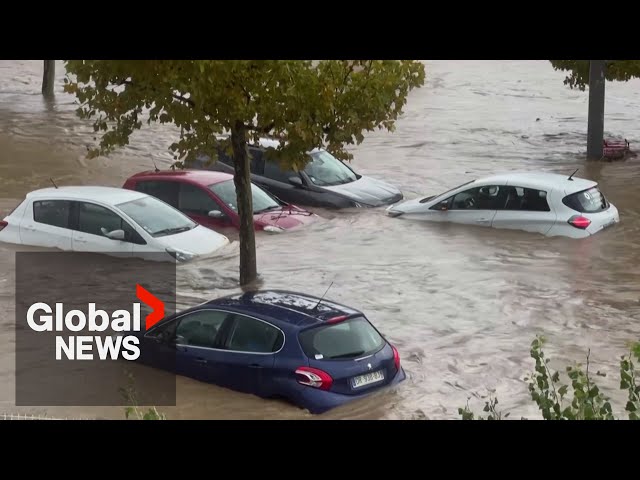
pixel 314 353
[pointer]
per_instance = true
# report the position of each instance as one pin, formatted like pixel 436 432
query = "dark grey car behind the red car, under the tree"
pixel 325 182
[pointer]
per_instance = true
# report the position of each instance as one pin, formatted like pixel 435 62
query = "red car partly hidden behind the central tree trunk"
pixel 209 198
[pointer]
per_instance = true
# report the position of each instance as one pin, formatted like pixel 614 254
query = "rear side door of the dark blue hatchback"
pixel 249 356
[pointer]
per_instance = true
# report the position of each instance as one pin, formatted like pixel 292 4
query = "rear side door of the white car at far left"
pixel 46 223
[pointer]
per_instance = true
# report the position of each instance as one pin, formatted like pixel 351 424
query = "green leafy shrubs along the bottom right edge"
pixel 587 402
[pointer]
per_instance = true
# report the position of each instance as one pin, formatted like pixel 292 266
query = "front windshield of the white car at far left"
pixel 156 217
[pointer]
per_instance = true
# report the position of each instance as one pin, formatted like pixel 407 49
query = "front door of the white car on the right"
pixel 473 206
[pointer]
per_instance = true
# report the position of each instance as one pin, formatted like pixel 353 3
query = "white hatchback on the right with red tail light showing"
pixel 546 203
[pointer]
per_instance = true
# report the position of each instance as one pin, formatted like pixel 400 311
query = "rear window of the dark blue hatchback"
pixel 349 339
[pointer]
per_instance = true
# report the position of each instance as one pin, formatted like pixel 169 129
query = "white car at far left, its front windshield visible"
pixel 107 220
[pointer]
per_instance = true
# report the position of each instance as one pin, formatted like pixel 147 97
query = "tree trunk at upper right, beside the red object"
pixel 595 128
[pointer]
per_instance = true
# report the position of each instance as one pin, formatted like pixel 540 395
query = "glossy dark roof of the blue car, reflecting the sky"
pixel 284 306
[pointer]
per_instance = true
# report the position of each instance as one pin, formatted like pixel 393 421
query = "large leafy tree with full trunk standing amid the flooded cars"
pixel 304 104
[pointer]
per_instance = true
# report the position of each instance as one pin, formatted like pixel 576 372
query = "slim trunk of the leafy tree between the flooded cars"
pixel 242 180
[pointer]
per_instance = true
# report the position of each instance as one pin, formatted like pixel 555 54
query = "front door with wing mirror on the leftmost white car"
pixel 92 223
